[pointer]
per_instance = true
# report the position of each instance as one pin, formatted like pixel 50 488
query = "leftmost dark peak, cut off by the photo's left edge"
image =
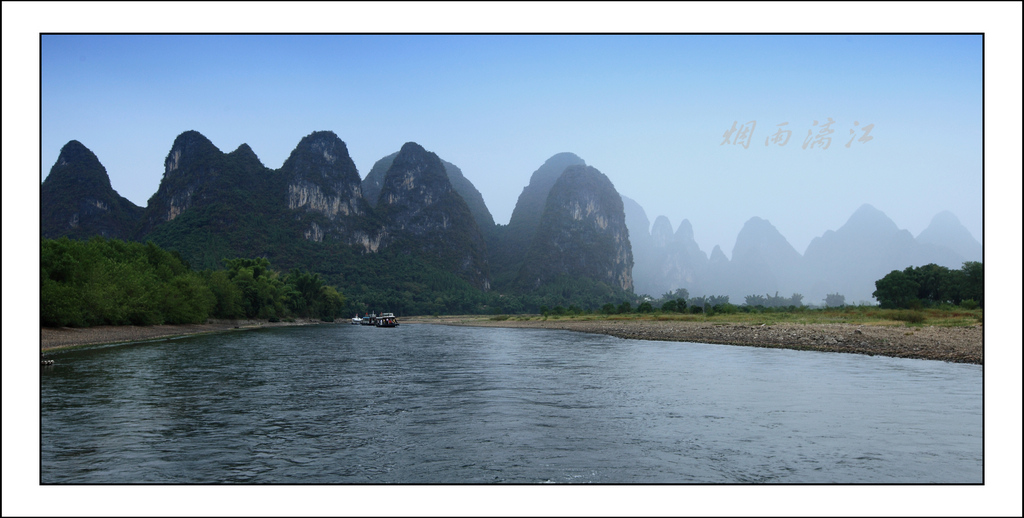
pixel 77 200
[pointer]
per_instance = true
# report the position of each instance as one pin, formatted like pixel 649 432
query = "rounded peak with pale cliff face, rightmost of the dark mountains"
pixel 581 234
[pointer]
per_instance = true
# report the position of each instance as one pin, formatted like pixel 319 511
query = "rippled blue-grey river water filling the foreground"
pixel 426 404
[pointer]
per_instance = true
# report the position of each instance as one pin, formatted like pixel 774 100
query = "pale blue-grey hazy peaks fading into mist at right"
pixel 847 262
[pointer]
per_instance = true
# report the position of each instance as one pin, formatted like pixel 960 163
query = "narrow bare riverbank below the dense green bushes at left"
pixel 62 338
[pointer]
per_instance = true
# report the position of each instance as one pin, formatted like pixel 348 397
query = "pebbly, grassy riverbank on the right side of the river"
pixel 956 344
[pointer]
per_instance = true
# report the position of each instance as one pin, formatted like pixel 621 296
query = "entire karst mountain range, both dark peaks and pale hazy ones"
pixel 415 212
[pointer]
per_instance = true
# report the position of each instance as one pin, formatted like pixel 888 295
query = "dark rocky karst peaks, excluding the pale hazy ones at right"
pixel 414 221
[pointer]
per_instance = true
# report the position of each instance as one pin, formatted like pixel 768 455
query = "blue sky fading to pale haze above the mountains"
pixel 650 112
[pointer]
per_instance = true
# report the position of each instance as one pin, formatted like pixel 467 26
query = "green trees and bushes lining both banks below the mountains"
pixel 111 282
